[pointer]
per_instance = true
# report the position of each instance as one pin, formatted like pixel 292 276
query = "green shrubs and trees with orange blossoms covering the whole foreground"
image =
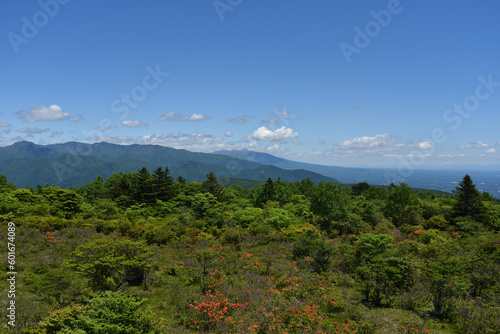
pixel 146 253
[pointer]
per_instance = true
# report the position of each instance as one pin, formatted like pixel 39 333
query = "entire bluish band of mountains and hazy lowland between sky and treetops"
pixel 70 164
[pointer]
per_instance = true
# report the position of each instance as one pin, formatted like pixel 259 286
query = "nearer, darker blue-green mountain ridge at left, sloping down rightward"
pixel 71 164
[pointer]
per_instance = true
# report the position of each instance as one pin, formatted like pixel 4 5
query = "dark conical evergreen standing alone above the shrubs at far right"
pixel 468 202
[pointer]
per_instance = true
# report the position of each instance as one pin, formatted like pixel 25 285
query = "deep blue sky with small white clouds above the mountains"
pixel 348 83
